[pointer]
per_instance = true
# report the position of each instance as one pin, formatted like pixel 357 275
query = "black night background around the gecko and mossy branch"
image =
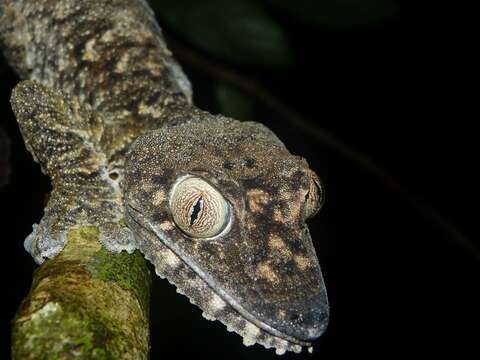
pixel 391 80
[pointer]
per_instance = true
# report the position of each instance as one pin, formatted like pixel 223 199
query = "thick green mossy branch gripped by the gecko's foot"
pixel 86 303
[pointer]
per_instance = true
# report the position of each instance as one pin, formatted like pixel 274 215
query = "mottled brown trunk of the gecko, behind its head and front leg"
pixel 98 50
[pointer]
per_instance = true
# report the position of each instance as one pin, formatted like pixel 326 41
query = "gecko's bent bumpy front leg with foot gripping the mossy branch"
pixel 65 139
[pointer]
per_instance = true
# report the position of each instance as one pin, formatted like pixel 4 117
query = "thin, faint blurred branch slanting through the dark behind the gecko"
pixel 261 94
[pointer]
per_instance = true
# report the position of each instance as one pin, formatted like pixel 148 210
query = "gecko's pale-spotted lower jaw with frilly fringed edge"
pixel 200 288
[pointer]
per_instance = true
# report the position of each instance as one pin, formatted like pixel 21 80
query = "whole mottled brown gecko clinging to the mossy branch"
pixel 218 206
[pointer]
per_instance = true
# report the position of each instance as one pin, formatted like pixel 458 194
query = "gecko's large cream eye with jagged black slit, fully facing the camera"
pixel 198 209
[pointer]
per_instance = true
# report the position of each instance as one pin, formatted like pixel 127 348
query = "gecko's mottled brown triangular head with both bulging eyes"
pixel 219 207
